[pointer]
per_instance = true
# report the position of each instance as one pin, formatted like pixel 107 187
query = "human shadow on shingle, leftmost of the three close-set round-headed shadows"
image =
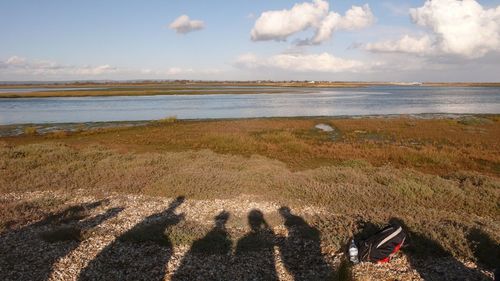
pixel 209 257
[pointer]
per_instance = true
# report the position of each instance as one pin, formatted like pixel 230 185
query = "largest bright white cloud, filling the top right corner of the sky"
pixel 463 28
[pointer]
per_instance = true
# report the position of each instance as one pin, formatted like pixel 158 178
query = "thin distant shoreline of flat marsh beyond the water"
pixel 94 89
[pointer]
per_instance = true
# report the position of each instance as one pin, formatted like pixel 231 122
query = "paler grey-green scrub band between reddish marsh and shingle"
pixel 440 209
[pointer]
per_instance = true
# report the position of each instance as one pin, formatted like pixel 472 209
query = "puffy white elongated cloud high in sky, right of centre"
pixel 316 15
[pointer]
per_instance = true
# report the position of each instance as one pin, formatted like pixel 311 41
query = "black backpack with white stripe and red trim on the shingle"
pixel 381 246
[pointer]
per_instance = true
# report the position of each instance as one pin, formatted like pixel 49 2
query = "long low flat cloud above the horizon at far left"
pixel 22 66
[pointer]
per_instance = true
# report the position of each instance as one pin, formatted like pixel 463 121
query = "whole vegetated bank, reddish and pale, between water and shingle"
pixel 439 176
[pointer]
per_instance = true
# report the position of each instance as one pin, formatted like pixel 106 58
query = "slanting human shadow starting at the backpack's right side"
pixel 428 257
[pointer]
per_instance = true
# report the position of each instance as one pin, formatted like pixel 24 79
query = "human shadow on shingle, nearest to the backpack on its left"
pixel 301 249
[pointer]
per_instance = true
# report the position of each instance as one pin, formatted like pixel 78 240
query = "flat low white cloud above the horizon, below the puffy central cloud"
pixel 323 62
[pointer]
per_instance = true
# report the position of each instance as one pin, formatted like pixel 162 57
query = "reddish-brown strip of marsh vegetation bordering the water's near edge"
pixel 437 146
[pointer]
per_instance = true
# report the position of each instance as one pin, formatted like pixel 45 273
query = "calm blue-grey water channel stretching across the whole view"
pixel 325 102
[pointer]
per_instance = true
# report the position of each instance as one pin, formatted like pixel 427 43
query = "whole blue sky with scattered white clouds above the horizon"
pixel 438 40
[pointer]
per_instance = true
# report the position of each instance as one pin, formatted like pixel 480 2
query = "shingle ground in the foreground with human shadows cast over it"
pixel 122 238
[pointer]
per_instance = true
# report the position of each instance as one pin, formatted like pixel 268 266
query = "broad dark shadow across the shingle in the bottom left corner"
pixel 30 252
